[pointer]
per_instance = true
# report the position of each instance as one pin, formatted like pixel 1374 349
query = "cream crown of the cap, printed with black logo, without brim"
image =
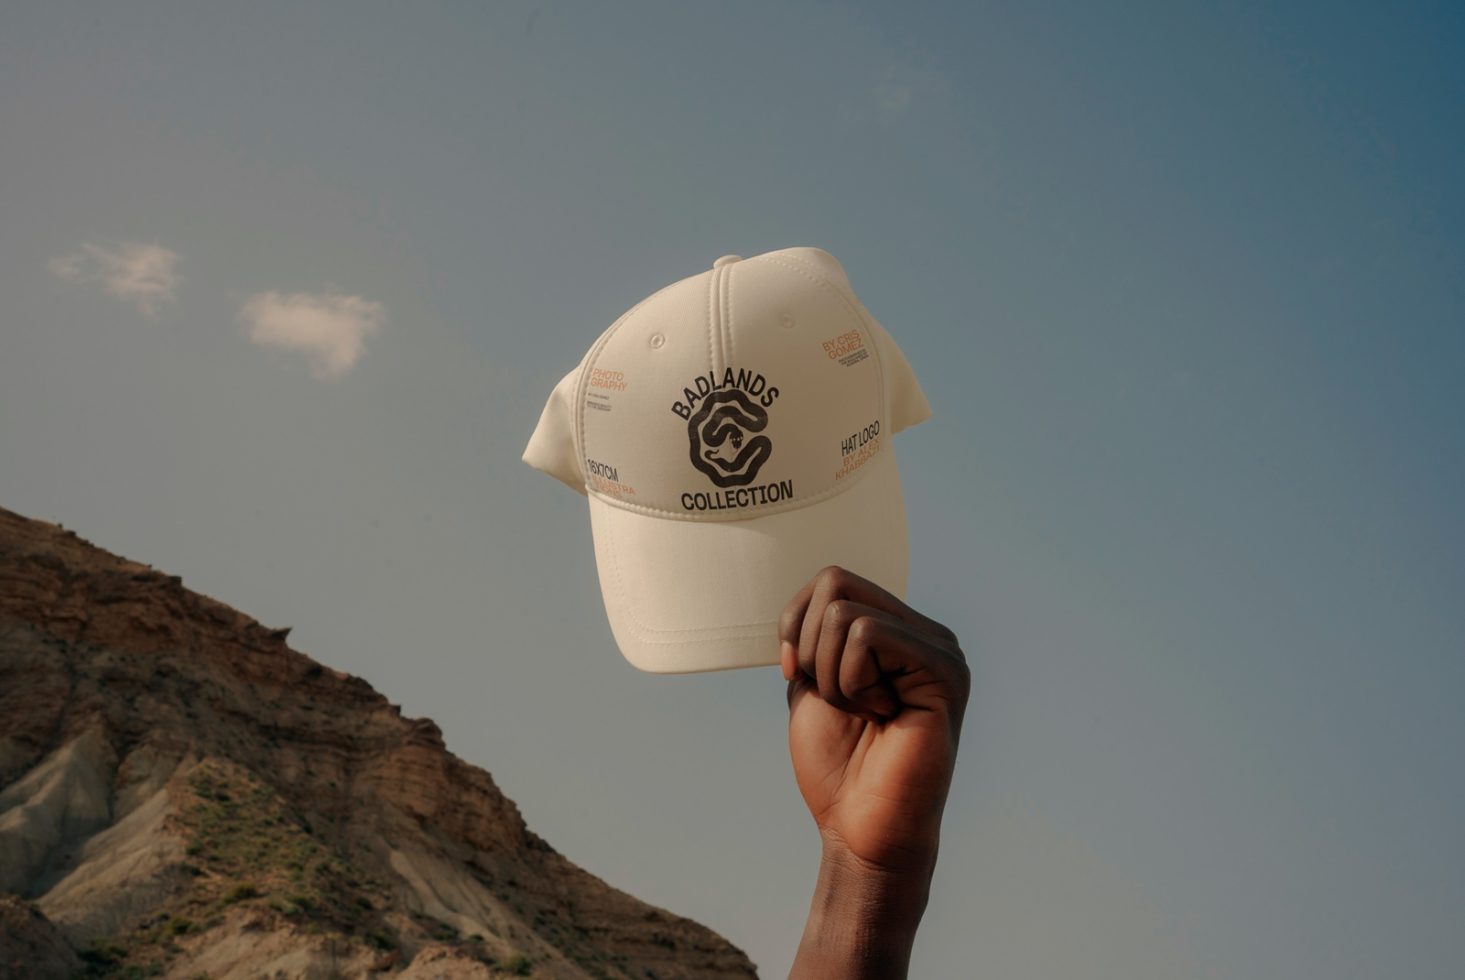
pixel 754 387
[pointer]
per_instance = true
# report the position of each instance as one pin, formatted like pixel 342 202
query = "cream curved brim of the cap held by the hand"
pixel 688 595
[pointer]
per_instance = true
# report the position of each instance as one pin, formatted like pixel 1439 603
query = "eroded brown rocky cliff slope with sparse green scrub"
pixel 184 793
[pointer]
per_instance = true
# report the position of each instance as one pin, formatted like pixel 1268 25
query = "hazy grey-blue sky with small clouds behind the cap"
pixel 285 286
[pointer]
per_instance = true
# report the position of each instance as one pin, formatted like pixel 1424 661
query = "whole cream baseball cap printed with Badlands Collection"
pixel 733 436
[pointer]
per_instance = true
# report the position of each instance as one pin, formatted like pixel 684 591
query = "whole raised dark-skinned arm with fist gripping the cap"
pixel 877 694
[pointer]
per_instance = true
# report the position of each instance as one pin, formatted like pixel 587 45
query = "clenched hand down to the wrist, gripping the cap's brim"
pixel 877 694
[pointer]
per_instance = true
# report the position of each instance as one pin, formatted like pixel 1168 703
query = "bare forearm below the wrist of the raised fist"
pixel 862 922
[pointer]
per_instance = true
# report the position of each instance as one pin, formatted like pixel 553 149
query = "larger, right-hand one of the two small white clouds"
pixel 329 329
